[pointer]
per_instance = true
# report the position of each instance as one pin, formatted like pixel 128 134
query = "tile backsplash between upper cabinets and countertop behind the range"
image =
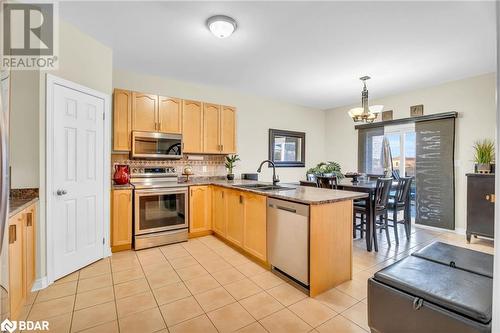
pixel 202 165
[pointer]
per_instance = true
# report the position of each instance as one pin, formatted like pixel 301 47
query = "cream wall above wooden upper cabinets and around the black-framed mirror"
pixel 255 115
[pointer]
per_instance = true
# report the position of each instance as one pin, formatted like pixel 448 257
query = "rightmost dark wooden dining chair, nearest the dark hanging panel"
pixel 401 202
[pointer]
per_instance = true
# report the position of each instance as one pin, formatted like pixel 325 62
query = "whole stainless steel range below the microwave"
pixel 160 207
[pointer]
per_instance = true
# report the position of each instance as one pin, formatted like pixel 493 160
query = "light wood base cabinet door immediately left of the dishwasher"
pixel 254 235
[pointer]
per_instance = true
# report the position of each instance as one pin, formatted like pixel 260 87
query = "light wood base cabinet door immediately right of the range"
pixel 200 208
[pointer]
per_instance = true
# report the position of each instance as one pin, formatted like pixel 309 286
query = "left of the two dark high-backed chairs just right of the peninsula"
pixel 380 206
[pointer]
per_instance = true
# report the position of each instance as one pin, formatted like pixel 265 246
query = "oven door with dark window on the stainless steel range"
pixel 160 210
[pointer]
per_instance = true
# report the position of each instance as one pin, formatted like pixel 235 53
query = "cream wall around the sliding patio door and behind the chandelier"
pixel 473 98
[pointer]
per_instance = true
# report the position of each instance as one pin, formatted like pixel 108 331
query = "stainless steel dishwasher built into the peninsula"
pixel 288 238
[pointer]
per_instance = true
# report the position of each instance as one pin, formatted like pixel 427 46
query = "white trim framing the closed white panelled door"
pixel 51 81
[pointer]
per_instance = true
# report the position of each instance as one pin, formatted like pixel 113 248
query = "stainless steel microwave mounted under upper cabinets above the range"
pixel 156 145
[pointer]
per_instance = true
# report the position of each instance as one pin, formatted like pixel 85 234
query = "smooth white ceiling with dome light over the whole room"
pixel 307 53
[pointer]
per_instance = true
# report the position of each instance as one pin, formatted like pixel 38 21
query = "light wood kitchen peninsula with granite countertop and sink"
pixel 330 223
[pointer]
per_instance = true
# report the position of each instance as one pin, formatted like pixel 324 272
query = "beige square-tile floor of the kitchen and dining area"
pixel 206 286
